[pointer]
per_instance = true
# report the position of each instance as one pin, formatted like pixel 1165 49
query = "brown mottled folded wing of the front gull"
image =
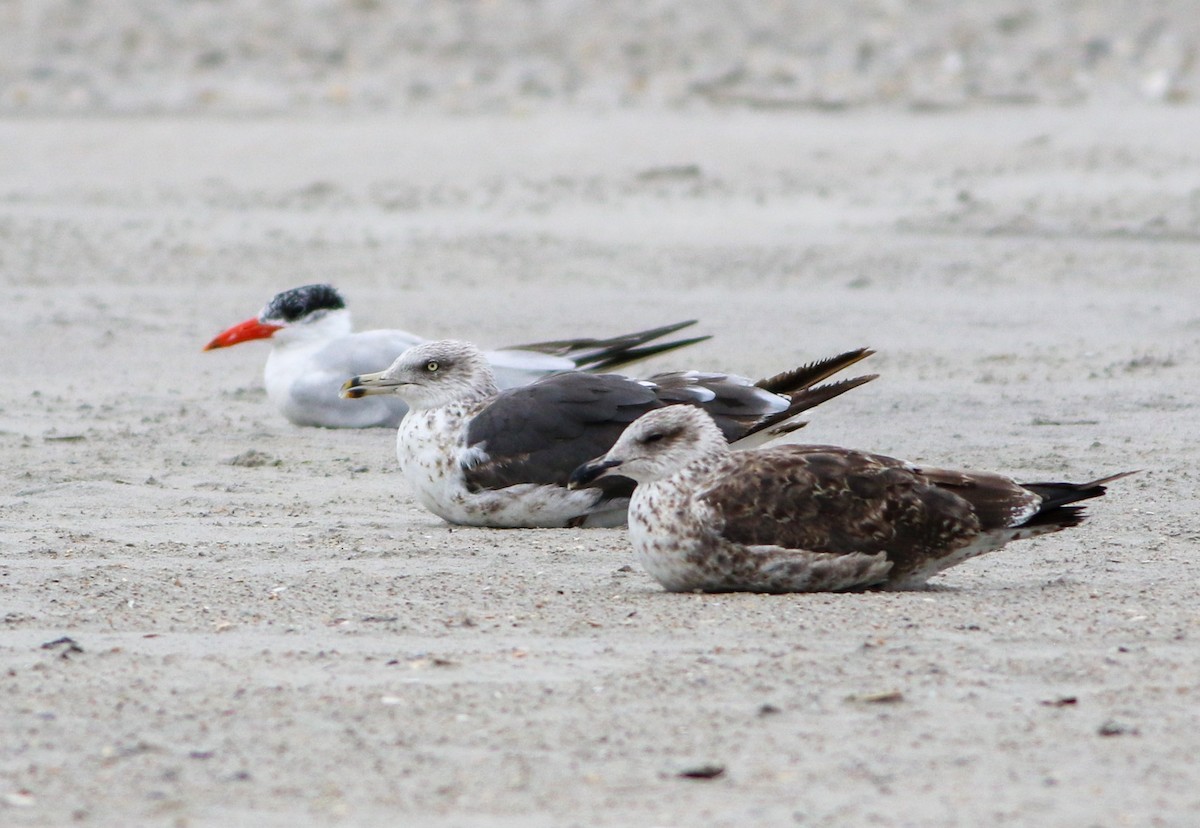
pixel 830 500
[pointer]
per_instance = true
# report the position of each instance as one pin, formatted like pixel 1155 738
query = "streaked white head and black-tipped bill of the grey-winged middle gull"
pixel 430 376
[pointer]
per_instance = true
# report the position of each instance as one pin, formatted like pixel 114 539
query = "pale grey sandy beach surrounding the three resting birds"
pixel 1004 199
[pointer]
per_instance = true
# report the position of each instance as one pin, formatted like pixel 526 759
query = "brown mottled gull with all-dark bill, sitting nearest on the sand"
pixel 811 518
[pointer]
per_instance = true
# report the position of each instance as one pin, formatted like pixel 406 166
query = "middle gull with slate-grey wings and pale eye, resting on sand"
pixel 479 457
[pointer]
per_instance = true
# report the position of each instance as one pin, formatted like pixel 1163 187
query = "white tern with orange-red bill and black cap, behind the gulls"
pixel 314 351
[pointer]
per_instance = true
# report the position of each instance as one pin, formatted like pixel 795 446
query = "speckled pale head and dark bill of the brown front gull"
pixel 657 446
